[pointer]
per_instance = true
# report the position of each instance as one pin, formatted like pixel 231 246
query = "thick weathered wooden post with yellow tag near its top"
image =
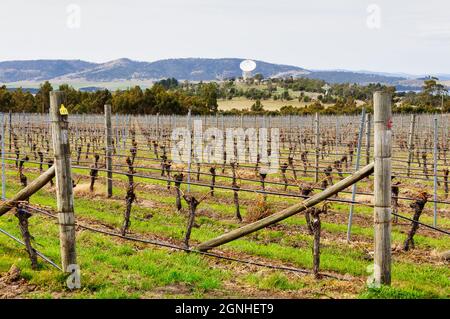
pixel 64 191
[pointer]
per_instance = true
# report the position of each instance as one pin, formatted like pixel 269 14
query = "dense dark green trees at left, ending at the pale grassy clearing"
pixel 161 98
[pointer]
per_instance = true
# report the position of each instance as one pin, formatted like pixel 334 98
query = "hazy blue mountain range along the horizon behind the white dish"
pixel 192 69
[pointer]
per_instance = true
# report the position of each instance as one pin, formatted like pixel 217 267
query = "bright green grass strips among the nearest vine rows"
pixel 113 268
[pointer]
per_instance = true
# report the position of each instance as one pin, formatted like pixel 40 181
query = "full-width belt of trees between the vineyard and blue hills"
pixel 169 96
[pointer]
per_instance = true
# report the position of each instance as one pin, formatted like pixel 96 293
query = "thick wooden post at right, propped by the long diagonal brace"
pixel 382 187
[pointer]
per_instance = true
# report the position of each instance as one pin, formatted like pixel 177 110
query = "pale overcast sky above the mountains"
pixel 411 36
